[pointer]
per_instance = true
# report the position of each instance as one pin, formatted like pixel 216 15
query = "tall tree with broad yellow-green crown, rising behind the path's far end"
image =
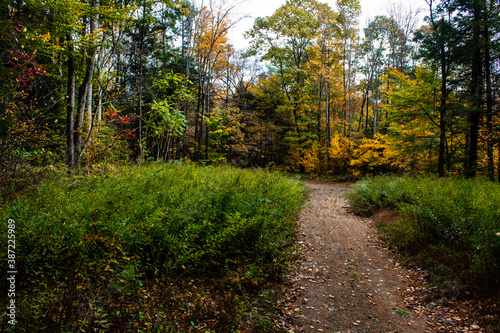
pixel 288 40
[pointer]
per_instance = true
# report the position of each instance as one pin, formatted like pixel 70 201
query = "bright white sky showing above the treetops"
pixel 260 8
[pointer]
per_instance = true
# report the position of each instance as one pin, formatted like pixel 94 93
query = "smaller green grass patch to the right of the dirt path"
pixel 452 226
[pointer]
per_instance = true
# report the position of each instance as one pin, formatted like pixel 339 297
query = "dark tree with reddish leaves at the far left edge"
pixel 24 125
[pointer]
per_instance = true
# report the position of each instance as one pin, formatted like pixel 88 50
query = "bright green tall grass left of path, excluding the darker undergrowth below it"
pixel 96 236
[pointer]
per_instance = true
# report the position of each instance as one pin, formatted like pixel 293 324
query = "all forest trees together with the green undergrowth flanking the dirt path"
pixel 138 144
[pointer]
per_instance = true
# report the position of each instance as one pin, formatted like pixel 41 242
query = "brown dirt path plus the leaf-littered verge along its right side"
pixel 347 281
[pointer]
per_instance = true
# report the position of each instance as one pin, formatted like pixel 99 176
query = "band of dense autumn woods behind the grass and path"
pixel 91 81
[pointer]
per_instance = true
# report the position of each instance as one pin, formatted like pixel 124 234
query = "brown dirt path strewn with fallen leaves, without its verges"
pixel 346 282
